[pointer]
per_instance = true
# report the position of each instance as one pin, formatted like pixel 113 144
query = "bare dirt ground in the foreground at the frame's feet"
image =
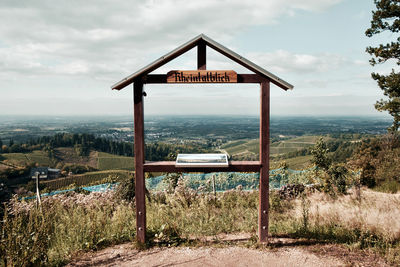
pixel 229 250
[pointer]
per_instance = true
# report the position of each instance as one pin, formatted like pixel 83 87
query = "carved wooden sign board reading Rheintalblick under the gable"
pixel 202 76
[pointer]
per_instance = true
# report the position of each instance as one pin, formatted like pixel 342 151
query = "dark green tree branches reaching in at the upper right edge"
pixel 387 18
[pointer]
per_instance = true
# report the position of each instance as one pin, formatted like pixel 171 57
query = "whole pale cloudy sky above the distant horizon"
pixel 62 57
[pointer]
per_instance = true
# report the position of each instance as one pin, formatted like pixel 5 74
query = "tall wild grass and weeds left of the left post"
pixel 64 225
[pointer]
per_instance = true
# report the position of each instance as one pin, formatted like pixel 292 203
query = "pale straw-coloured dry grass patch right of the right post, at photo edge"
pixel 375 212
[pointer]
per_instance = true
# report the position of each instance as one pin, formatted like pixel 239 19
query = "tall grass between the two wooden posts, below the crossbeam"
pixel 197 215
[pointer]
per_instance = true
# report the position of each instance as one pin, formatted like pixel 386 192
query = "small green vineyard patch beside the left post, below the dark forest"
pixel 108 161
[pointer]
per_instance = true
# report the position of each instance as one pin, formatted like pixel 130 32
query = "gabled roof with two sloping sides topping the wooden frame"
pixel 210 43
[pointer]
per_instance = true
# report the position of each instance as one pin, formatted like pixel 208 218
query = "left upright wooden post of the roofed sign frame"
pixel 140 186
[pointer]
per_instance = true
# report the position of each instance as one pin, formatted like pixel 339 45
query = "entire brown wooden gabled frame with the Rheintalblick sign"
pixel 201 75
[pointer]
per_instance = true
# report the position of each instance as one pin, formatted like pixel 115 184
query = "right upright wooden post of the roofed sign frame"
pixel 264 160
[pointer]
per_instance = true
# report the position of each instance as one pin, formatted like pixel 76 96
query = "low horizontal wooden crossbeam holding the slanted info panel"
pixel 234 166
